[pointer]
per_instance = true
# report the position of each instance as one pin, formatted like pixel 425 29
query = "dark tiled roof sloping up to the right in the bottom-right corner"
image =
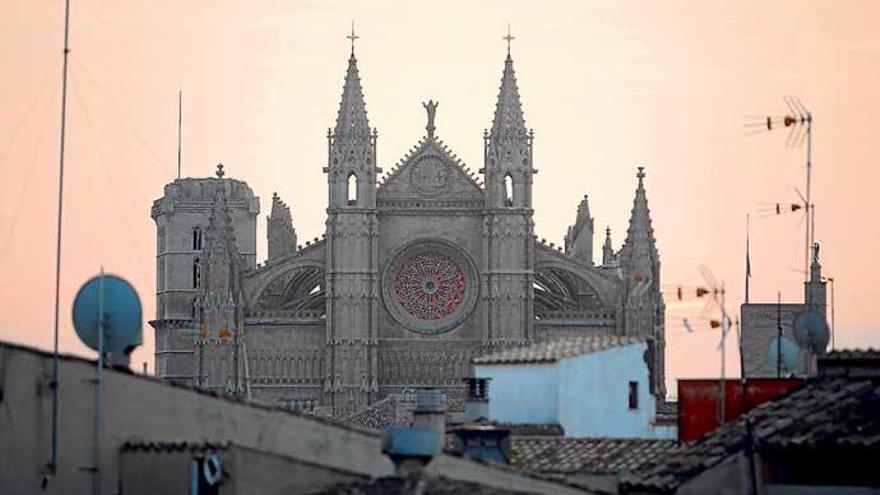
pixel 826 412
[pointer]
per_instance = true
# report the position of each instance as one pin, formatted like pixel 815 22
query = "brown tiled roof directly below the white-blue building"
pixel 585 455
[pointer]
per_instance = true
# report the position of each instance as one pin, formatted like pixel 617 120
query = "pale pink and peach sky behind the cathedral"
pixel 607 86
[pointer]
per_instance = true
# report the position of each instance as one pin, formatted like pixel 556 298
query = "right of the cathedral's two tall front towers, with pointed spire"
pixel 508 271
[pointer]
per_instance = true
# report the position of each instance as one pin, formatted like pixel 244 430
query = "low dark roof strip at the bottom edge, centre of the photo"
pixel 425 485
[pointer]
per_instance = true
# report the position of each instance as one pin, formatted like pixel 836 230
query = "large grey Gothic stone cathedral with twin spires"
pixel 422 268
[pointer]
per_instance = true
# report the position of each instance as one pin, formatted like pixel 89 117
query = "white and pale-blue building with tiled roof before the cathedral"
pixel 598 386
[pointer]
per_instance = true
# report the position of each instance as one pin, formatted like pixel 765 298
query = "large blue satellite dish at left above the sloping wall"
pixel 122 314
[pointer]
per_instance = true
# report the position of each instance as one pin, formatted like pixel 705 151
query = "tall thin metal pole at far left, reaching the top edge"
pixel 53 462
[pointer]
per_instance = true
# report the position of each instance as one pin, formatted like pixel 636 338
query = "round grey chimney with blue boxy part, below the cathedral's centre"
pixel 413 447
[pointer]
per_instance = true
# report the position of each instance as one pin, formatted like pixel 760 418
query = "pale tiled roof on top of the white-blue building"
pixel 554 350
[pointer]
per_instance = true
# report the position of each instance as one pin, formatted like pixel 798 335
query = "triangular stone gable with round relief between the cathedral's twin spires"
pixel 430 171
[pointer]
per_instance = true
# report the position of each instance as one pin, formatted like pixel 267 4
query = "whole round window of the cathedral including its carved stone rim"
pixel 430 286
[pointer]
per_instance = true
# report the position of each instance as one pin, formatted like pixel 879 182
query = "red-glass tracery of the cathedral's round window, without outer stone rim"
pixel 429 286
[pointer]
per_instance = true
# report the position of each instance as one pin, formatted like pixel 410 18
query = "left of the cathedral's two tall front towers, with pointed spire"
pixel 351 380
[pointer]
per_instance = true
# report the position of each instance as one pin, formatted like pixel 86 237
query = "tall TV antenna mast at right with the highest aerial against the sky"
pixel 800 122
